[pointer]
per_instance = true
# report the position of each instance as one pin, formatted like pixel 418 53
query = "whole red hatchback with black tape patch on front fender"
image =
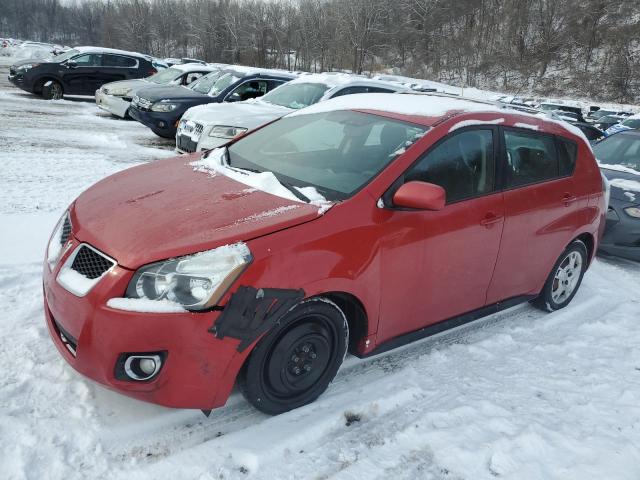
pixel 358 224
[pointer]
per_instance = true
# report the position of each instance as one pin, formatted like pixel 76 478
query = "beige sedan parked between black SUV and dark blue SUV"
pixel 116 97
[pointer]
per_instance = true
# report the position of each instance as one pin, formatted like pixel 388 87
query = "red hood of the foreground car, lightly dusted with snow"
pixel 166 209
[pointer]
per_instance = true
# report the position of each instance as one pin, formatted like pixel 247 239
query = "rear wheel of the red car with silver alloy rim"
pixel 565 278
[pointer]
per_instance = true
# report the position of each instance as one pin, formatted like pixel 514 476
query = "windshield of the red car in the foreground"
pixel 335 152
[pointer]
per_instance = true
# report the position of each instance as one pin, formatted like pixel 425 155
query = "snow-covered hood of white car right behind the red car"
pixel 242 114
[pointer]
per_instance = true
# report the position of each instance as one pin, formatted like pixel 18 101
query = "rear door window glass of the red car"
pixel 531 158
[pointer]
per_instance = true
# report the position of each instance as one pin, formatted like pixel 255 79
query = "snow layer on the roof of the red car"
pixel 404 104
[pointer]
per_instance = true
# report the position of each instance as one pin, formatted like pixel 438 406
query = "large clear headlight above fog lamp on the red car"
pixel 196 282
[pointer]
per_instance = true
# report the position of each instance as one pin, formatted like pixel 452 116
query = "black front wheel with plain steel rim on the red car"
pixel 294 363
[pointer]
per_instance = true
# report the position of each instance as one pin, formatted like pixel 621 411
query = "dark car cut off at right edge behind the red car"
pixel 619 158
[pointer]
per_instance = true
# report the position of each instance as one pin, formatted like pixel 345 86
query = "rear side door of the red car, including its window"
pixel 542 206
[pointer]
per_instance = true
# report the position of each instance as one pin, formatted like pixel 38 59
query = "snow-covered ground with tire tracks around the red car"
pixel 519 395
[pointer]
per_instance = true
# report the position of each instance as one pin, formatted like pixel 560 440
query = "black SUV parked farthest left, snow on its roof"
pixel 80 71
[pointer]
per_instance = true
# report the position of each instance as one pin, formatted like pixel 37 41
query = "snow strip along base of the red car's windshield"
pixel 215 163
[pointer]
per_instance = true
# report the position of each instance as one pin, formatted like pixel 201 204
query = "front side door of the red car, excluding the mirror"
pixel 438 264
